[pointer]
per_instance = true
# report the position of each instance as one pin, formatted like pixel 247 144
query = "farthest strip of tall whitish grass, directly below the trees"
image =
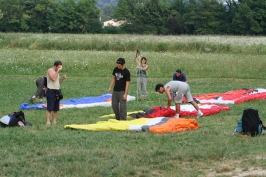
pixel 148 43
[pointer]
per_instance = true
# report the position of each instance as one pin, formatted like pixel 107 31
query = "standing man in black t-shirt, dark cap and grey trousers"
pixel 120 81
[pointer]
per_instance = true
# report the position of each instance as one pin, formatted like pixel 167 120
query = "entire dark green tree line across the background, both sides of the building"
pixel 159 17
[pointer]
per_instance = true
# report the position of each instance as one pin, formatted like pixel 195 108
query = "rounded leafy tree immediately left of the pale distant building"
pixel 75 17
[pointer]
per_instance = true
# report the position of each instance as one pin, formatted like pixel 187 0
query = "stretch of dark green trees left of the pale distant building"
pixel 68 16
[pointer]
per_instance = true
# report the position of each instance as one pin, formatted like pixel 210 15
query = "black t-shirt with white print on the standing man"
pixel 121 77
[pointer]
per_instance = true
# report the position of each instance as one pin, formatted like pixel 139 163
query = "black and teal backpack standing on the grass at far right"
pixel 250 123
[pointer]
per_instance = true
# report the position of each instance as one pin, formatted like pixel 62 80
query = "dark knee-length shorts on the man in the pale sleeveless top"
pixel 52 102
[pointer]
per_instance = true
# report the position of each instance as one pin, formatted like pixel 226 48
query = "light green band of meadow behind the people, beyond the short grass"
pixel 163 64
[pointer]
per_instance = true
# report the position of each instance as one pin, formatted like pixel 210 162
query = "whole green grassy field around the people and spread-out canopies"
pixel 211 150
